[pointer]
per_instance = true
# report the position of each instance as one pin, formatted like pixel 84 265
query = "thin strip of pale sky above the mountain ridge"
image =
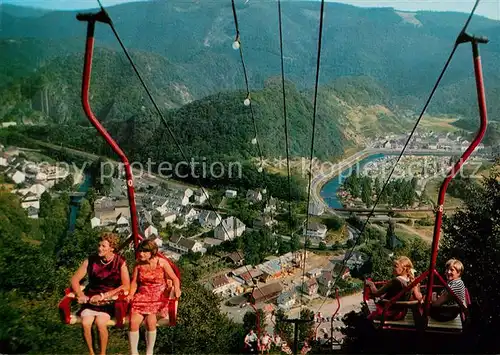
pixel 488 8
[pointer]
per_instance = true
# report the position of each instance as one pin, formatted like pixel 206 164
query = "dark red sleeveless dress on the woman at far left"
pixel 102 278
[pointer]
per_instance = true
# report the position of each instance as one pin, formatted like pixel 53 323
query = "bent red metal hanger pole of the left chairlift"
pixel 87 71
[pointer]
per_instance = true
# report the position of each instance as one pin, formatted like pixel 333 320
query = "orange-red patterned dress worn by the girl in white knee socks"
pixel 150 296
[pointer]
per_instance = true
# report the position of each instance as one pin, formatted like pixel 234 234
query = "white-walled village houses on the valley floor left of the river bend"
pixel 276 283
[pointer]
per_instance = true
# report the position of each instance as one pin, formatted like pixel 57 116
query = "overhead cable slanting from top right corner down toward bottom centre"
pixel 443 71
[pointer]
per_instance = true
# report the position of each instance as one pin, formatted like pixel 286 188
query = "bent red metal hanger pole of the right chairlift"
pixel 480 134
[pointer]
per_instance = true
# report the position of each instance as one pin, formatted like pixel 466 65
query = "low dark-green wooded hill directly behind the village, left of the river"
pixel 219 126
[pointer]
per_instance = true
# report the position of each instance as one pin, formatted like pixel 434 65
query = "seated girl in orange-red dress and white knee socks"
pixel 147 294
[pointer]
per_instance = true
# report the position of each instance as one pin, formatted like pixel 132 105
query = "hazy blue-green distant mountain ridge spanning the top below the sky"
pixel 402 51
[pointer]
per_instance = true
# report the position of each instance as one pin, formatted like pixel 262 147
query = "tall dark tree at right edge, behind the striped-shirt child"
pixel 472 236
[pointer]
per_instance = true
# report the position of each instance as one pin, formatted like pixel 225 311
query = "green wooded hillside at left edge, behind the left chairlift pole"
pixel 55 87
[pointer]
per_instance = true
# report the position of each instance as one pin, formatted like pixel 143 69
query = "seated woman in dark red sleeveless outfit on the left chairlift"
pixel 107 275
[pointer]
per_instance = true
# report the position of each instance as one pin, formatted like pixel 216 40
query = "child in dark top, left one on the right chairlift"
pixel 404 275
